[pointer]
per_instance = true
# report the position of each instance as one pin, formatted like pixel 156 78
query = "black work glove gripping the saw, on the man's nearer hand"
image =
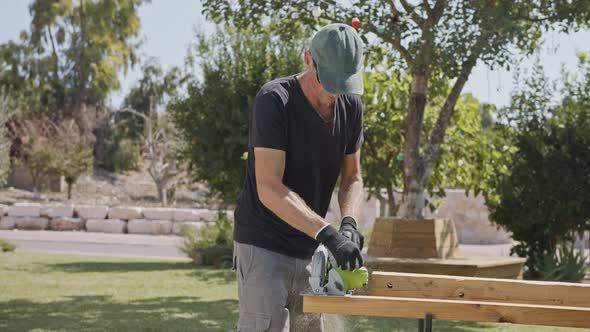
pixel 347 253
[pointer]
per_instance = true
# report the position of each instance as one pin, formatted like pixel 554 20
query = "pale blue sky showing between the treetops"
pixel 168 28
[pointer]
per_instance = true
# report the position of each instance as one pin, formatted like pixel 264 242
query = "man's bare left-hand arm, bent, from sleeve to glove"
pixel 285 203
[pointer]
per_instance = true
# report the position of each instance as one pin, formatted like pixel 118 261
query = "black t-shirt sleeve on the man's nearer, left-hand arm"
pixel 269 123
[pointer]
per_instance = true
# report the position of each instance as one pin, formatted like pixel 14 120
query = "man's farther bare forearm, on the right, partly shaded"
pixel 351 186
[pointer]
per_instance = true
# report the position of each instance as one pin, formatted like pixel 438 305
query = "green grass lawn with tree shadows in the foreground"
pixel 43 292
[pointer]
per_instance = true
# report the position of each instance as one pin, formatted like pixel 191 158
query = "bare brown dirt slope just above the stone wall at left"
pixel 132 188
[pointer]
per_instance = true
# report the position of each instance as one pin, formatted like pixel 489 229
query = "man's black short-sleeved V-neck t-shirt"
pixel 282 118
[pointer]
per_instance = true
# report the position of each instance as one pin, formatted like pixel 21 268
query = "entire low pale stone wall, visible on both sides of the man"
pixel 469 214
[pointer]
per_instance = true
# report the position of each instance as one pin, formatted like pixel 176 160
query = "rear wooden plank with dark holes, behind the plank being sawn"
pixel 478 289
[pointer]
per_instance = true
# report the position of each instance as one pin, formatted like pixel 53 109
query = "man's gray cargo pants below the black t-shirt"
pixel 269 288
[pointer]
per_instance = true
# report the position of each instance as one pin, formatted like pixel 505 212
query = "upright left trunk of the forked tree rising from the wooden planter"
pixel 412 203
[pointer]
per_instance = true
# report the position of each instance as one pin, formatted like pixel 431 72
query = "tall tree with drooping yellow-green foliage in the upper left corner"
pixel 71 55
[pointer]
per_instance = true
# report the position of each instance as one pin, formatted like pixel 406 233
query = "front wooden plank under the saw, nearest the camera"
pixel 448 310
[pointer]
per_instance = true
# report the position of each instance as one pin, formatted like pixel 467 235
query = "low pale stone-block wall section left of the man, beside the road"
pixel 118 219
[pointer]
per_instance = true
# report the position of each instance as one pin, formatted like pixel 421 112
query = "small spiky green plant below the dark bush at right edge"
pixel 566 264
